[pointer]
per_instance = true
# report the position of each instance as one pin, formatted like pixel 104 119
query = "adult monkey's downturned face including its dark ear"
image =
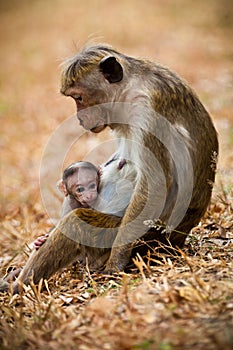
pixel 92 89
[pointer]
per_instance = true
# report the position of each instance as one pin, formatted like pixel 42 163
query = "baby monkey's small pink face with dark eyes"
pixel 83 185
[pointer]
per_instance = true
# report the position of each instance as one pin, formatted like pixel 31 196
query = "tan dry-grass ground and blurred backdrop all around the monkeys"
pixel 186 303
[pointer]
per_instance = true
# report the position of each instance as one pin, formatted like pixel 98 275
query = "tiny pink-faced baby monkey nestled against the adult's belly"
pixel 80 185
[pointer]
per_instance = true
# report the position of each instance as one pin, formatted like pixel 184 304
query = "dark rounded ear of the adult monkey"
pixel 111 69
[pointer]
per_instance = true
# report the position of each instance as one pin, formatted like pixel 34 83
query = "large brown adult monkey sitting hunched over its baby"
pixel 169 138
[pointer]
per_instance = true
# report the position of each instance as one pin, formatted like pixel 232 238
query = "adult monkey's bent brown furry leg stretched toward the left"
pixel 63 245
